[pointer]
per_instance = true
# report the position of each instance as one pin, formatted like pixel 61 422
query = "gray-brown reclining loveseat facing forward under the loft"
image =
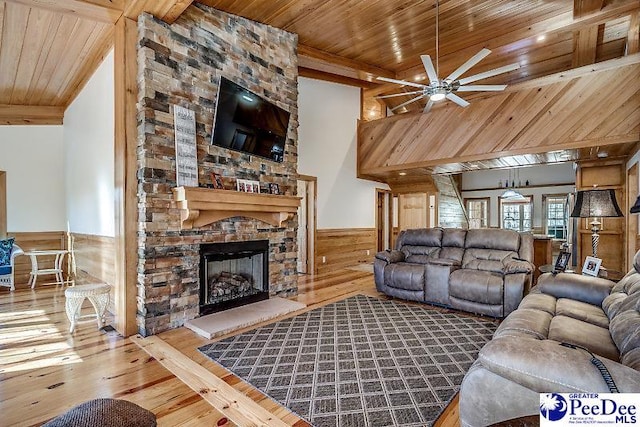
pixel 485 271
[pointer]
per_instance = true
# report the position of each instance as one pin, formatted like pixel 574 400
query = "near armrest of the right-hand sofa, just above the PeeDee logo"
pixel 546 366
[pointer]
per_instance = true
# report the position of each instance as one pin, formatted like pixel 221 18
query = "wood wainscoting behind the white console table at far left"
pixel 32 241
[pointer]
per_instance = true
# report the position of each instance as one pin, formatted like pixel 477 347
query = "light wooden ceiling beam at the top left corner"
pixel 108 11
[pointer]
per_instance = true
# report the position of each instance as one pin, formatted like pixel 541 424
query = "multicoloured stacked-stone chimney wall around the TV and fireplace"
pixel 182 64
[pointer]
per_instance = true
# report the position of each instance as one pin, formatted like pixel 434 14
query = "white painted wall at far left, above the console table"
pixel 33 157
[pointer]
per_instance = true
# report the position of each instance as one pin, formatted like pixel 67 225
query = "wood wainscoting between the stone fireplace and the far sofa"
pixel 344 247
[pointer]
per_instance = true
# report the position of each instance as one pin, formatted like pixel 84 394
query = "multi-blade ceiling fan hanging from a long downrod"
pixel 438 89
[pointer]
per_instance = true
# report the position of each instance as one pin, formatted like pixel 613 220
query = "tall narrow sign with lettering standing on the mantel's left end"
pixel 184 121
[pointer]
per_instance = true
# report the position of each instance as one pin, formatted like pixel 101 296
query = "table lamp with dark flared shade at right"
pixel 596 204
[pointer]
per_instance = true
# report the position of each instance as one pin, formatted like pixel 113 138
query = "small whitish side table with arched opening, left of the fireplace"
pixel 96 293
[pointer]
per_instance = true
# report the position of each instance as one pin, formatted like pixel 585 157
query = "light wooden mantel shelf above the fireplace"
pixel 203 206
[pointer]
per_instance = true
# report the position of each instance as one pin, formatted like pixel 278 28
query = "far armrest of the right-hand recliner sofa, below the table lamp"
pixel 591 290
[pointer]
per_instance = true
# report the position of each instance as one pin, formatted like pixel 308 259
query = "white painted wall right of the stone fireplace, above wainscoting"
pixel 328 115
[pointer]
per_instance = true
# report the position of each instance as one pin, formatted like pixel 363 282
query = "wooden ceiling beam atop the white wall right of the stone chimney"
pixel 314 59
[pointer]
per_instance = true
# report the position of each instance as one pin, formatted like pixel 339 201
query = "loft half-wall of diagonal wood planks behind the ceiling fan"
pixel 590 106
